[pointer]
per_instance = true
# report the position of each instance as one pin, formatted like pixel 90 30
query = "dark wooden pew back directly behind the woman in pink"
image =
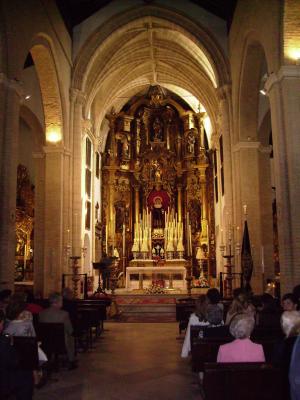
pixel 242 381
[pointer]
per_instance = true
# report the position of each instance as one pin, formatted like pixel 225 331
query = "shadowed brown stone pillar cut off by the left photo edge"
pixel 10 96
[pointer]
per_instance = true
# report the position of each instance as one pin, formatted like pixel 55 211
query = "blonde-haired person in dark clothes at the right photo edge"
pixel 290 323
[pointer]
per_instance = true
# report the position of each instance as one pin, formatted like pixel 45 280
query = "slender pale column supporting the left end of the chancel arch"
pixel 77 100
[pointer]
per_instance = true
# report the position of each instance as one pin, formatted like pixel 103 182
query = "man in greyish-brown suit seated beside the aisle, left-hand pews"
pixel 54 314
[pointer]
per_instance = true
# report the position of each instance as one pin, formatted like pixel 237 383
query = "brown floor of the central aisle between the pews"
pixel 130 362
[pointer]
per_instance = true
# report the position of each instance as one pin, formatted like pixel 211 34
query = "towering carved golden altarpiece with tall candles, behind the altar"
pixel 157 183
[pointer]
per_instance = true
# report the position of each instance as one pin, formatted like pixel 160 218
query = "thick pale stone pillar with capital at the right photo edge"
pixel 283 89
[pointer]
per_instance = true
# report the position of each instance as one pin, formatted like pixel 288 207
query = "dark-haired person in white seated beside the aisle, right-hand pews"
pixel 199 317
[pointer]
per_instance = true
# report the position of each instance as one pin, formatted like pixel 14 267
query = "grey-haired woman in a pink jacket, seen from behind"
pixel 242 349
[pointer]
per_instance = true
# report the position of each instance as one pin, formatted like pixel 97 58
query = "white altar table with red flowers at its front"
pixel 172 273
